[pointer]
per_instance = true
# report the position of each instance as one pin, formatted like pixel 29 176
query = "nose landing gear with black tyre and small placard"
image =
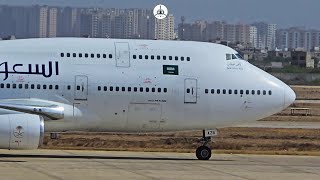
pixel 204 152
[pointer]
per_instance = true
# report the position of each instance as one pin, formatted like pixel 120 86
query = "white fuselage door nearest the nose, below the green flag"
pixel 190 91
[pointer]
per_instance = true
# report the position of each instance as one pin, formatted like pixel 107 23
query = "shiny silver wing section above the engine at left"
pixel 48 109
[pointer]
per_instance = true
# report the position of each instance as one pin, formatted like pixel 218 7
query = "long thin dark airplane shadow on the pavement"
pixel 98 157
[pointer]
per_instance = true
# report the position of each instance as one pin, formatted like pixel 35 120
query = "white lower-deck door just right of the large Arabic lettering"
pixel 81 88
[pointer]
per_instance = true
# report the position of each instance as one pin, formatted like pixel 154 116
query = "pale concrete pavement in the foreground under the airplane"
pixel 59 164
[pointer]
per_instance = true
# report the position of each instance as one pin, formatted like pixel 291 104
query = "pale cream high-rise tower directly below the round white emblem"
pixel 164 28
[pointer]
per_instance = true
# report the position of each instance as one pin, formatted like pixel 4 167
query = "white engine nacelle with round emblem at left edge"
pixel 21 131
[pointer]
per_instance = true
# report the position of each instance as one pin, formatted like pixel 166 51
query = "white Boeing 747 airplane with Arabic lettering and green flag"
pixel 119 85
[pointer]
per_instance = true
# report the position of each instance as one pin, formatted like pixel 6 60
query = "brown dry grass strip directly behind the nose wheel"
pixel 230 140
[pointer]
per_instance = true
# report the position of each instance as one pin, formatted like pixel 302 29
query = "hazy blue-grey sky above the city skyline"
pixel 283 12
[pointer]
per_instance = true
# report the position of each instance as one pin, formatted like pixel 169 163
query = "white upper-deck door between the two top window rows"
pixel 122 54
